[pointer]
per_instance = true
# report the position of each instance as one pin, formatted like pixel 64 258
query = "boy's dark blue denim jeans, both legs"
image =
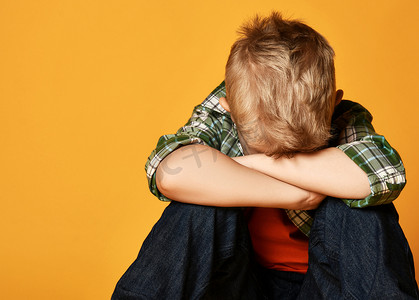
pixel 201 252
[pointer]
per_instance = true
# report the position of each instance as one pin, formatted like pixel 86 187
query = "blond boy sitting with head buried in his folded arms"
pixel 280 108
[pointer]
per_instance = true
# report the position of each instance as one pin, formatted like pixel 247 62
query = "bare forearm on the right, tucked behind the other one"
pixel 329 171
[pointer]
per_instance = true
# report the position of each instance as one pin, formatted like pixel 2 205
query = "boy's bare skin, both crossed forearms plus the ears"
pixel 256 180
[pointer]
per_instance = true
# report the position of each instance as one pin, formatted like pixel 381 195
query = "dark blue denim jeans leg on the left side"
pixel 193 252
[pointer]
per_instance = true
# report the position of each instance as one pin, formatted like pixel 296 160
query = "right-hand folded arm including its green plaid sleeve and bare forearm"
pixel 363 169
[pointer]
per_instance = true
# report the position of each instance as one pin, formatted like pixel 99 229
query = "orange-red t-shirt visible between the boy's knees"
pixel 278 244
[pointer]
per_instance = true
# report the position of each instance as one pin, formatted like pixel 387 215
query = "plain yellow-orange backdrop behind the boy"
pixel 87 87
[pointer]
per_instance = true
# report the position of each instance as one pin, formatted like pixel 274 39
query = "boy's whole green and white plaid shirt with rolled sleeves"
pixel 353 133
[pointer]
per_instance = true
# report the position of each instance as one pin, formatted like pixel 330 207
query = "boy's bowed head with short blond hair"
pixel 280 86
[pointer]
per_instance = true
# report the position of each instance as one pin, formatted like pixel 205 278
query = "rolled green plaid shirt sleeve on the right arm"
pixel 372 153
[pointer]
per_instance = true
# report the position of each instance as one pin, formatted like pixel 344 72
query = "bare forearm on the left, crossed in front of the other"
pixel 202 175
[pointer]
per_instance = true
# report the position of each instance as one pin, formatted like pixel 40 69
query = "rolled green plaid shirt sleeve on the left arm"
pixel 204 127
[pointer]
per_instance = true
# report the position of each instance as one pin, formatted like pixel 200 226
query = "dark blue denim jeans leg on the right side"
pixel 358 254
